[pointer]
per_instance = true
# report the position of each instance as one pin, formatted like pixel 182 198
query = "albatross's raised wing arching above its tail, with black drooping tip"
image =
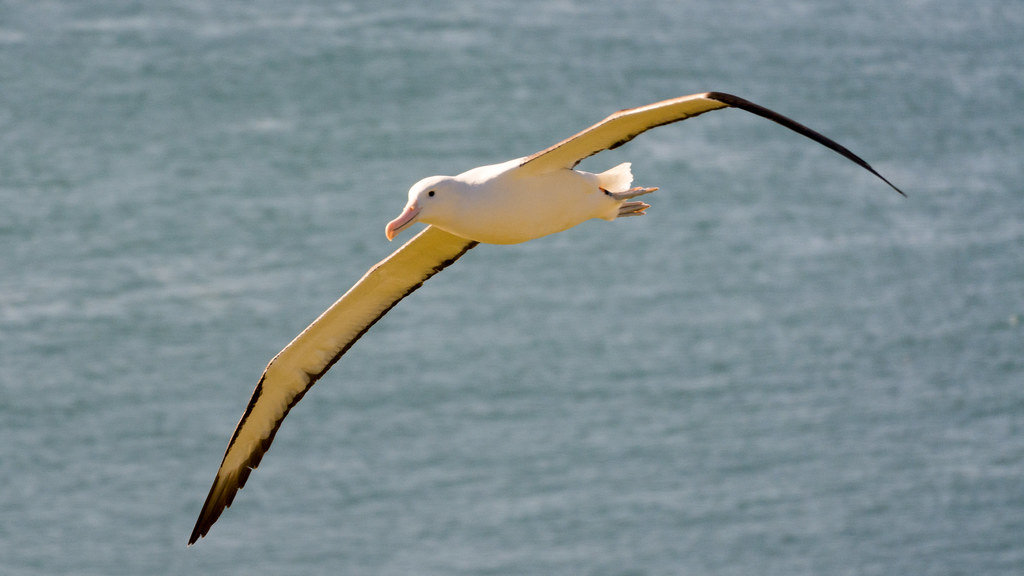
pixel 625 126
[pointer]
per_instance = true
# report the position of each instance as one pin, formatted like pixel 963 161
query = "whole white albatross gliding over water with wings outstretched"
pixel 506 203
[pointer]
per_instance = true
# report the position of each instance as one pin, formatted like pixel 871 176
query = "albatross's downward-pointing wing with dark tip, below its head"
pixel 313 353
